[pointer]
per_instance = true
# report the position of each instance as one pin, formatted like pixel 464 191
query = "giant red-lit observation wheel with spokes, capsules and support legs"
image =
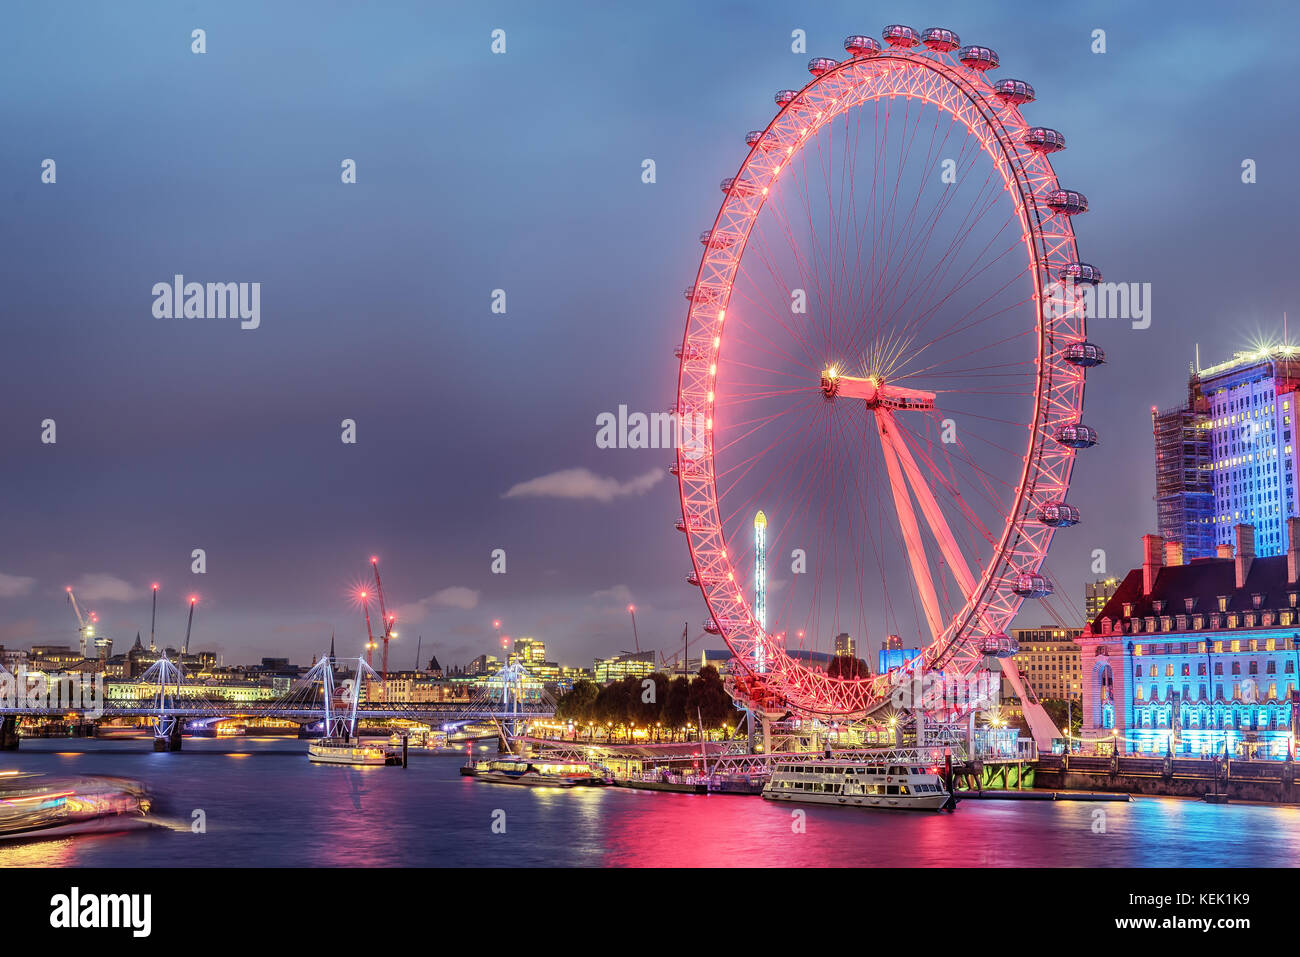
pixel 878 360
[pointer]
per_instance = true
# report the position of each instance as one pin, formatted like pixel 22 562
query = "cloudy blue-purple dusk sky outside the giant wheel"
pixel 521 172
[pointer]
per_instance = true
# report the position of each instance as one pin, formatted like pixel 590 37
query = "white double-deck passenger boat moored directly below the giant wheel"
pixel 857 785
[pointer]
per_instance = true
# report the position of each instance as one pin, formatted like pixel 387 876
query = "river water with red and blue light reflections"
pixel 268 807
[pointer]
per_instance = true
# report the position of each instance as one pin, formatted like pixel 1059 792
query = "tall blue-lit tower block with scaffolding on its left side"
pixel 1229 456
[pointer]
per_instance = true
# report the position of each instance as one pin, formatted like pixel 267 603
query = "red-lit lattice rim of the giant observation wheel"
pixel 818 694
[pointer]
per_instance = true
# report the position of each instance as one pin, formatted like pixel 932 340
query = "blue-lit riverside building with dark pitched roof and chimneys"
pixel 1191 657
